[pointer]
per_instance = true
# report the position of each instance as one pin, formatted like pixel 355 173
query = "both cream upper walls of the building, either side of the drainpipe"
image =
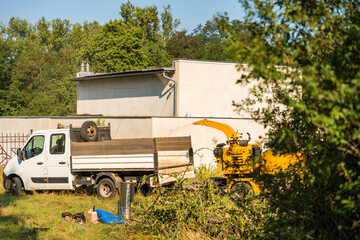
pixel 203 89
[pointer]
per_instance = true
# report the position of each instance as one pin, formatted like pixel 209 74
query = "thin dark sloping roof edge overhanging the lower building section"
pixel 98 76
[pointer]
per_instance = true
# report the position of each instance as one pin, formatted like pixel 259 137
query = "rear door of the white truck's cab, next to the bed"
pixel 58 162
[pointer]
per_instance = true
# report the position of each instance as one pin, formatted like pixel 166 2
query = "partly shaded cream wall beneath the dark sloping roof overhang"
pixel 147 95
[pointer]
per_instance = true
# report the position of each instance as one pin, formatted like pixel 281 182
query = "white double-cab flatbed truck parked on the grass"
pixel 59 159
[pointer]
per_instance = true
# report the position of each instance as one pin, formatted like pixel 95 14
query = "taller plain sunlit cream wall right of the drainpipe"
pixel 208 88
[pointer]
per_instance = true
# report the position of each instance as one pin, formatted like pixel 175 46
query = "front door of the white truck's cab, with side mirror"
pixel 32 169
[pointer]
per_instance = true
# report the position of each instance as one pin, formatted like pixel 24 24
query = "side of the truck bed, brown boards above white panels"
pixel 165 155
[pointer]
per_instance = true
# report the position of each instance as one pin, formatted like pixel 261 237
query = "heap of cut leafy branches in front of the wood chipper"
pixel 205 213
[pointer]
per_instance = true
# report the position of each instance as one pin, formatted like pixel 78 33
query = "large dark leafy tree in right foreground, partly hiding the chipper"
pixel 308 76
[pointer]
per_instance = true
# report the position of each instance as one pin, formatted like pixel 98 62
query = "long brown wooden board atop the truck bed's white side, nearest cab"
pixel 113 147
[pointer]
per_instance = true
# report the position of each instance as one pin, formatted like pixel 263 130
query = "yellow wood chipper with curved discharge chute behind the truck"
pixel 238 159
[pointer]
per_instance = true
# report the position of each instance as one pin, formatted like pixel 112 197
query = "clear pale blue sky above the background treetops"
pixel 189 12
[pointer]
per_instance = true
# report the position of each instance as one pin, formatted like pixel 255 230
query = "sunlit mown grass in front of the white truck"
pixel 45 209
